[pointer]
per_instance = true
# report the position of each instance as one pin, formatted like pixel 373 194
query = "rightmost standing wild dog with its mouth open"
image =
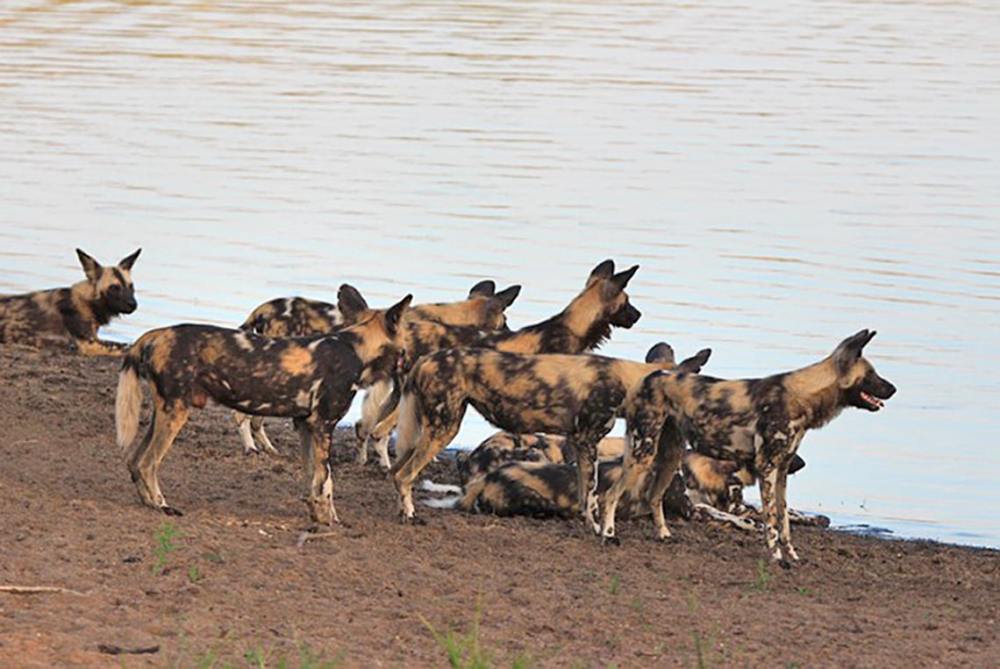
pixel 758 423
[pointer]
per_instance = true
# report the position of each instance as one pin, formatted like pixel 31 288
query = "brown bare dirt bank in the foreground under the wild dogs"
pixel 228 585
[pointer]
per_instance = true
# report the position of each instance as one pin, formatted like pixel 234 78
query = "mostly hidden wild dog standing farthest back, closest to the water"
pixel 301 317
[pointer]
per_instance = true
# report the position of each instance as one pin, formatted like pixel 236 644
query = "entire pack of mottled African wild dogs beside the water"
pixel 693 442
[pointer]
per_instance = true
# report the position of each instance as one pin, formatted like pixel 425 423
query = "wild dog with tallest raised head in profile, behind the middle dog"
pixel 582 326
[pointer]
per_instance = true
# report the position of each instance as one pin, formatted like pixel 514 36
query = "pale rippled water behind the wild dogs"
pixel 784 173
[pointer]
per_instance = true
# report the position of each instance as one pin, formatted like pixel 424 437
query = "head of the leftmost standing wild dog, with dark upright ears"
pixel 379 344
